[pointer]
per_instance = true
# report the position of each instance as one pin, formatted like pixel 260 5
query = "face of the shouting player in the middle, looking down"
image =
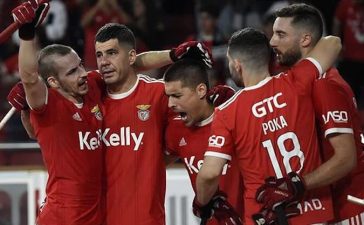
pixel 186 101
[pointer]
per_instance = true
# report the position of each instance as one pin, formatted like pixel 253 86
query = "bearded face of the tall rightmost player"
pixel 286 42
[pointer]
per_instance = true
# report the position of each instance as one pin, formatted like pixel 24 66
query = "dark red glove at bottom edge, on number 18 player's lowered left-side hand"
pixel 218 207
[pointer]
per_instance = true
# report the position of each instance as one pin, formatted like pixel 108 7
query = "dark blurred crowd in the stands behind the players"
pixel 162 24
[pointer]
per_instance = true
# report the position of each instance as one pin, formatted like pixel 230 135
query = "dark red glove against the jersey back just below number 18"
pixel 286 190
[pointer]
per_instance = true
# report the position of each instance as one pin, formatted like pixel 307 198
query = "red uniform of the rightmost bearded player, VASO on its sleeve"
pixel 336 112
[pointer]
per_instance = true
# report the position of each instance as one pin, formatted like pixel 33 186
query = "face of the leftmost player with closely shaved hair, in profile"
pixel 71 77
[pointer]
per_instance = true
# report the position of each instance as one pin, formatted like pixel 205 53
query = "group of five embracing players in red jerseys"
pixel 285 143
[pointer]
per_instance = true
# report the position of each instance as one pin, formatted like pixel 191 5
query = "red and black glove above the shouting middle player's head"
pixel 192 49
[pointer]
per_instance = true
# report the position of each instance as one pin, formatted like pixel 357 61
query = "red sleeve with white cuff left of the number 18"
pixel 220 141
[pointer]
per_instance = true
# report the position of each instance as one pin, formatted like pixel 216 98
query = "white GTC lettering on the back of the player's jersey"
pixel 267 105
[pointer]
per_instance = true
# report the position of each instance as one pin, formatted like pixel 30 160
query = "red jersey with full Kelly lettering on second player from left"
pixel 133 134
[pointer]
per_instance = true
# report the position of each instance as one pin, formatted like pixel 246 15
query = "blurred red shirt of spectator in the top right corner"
pixel 351 17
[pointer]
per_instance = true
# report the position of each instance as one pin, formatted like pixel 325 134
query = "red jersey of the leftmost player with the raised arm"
pixel 69 136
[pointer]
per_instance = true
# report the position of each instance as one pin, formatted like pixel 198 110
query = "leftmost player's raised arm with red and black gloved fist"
pixel 29 18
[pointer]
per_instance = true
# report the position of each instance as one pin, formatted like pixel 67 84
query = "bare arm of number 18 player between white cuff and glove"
pixel 208 178
